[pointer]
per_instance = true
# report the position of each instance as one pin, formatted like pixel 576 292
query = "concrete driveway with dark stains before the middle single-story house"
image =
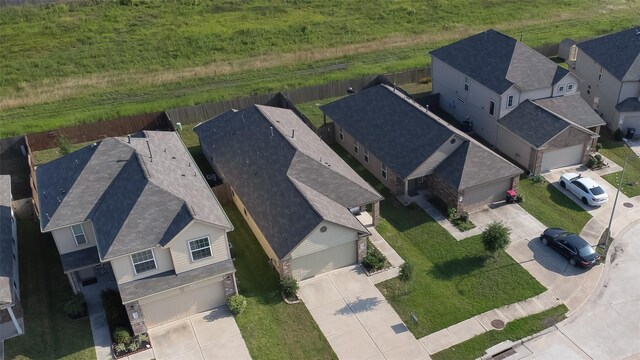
pixel 356 319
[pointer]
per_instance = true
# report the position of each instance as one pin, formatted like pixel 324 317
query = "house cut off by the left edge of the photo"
pixel 11 320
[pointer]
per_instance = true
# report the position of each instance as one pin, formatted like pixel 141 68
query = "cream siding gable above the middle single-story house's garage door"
pixel 318 241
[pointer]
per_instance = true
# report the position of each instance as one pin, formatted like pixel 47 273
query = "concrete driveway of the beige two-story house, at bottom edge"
pixel 208 335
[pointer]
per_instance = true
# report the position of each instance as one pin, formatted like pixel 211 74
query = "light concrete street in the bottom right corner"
pixel 607 327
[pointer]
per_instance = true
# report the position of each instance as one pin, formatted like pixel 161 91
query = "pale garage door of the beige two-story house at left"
pixel 178 303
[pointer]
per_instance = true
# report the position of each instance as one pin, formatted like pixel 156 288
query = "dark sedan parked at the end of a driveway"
pixel 572 246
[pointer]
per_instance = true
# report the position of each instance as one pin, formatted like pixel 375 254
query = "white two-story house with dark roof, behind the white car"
pixel 484 77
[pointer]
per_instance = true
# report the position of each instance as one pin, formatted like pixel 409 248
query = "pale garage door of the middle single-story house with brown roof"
pixel 322 261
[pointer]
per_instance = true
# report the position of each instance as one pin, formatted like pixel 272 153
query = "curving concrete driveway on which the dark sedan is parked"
pixel 570 284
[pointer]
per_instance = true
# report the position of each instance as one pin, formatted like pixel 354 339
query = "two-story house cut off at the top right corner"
pixel 609 69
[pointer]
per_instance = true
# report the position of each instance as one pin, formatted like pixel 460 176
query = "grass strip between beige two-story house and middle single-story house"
pixel 271 328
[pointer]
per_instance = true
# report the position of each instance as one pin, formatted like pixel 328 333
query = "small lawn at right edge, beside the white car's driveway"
pixel 616 151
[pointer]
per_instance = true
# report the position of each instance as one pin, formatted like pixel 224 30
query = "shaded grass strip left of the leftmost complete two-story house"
pixel 44 288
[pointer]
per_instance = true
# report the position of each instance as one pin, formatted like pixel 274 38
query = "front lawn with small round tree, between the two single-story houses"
pixel 453 280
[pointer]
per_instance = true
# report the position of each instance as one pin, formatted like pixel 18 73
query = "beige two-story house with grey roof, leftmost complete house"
pixel 139 205
